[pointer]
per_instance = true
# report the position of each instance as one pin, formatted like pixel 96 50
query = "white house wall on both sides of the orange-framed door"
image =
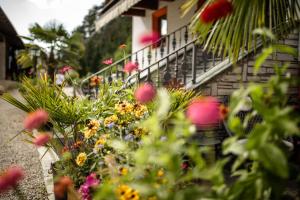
pixel 142 25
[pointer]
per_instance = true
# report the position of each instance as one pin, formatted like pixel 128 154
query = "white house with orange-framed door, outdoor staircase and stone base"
pixel 177 57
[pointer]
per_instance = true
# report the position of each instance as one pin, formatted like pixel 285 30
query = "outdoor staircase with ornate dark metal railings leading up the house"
pixel 175 59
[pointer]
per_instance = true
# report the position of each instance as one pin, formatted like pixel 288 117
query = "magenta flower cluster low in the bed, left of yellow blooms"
pixel 90 182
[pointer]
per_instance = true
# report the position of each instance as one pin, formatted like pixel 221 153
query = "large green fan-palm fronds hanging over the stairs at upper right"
pixel 233 34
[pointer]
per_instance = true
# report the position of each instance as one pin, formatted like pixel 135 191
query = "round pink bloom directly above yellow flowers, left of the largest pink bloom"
pixel 145 93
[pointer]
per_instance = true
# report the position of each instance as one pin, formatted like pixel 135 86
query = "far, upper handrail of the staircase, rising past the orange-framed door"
pixel 156 43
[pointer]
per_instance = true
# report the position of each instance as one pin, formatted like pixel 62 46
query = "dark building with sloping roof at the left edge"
pixel 10 42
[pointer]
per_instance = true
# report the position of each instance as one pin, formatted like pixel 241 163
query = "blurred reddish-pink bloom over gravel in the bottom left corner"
pixel 10 178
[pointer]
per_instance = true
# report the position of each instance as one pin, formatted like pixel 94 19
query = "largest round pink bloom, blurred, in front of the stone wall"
pixel 204 112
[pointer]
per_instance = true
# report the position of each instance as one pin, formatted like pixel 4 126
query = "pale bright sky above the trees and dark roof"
pixel 22 13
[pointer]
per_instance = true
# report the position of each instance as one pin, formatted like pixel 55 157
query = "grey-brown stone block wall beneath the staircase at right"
pixel 242 73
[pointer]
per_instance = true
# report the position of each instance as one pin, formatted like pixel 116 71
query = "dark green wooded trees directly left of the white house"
pixel 102 44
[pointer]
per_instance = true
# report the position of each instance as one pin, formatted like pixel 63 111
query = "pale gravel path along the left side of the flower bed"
pixel 19 153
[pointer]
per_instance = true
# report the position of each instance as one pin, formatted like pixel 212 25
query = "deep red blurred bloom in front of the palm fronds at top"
pixel 216 11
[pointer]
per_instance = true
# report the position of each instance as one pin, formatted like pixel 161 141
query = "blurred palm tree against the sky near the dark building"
pixel 53 46
